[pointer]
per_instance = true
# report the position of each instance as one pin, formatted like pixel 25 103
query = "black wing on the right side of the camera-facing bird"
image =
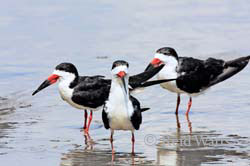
pixel 136 118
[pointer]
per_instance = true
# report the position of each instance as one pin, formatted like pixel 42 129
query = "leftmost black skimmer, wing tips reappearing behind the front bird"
pixel 88 92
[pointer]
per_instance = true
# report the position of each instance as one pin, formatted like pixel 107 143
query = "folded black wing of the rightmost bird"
pixel 196 75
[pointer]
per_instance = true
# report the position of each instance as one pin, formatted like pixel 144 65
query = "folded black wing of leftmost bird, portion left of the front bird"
pixel 91 91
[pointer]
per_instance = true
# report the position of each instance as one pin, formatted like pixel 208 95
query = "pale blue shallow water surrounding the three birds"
pixel 42 130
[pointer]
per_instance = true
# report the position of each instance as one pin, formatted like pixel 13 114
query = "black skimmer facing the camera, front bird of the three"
pixel 121 110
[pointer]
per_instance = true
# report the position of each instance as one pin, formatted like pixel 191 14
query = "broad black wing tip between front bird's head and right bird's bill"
pixel 136 80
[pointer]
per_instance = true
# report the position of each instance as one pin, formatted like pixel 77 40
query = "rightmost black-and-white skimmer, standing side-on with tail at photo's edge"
pixel 193 75
